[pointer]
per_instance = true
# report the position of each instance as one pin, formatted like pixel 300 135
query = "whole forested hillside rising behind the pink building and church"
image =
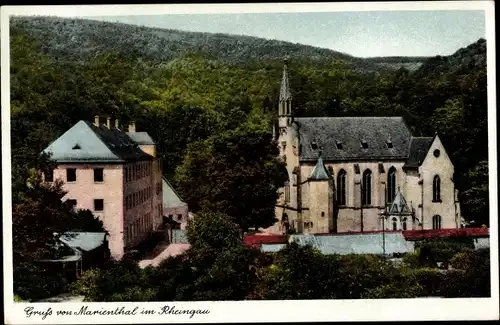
pixel 183 88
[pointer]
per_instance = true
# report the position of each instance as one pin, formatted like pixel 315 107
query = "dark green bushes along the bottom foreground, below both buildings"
pixel 237 273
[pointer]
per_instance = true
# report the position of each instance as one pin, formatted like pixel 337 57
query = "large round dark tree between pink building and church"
pixel 236 173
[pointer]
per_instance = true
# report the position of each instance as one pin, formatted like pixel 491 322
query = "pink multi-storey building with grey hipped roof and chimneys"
pixel 113 173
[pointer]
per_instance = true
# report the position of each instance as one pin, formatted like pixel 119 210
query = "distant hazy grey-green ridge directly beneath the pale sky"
pixel 80 39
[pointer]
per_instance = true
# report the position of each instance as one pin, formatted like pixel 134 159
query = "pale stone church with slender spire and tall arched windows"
pixel 360 174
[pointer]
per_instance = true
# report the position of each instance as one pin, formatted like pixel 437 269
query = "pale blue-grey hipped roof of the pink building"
pixel 85 142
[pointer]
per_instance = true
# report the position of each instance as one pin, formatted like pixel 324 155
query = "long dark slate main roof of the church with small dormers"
pixel 353 138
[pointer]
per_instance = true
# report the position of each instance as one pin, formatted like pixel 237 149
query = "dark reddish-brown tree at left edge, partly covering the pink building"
pixel 39 217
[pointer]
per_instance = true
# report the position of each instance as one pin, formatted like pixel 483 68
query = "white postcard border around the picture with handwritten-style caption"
pixel 260 311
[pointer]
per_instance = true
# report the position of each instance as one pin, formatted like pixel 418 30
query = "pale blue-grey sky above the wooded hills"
pixel 361 33
